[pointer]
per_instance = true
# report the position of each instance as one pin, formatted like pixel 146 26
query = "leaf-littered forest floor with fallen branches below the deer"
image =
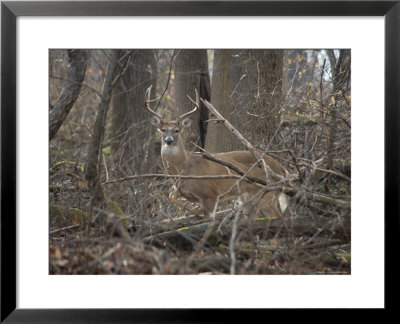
pixel 162 238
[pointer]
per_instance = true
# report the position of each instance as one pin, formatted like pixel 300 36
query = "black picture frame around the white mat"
pixel 11 10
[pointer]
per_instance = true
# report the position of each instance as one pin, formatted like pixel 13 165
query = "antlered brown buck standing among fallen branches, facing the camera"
pixel 208 192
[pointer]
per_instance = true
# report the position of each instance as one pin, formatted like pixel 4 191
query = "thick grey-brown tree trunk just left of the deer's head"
pixel 132 138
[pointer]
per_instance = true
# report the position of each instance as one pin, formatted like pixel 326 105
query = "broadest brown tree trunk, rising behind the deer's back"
pixel 246 88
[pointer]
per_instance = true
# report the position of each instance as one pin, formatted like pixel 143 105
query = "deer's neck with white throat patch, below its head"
pixel 173 157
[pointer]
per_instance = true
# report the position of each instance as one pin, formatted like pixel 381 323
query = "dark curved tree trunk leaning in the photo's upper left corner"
pixel 75 77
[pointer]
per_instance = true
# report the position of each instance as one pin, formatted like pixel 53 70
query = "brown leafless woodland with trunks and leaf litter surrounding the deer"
pixel 293 104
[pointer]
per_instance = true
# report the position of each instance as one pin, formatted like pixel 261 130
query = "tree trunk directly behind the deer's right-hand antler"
pixel 191 72
